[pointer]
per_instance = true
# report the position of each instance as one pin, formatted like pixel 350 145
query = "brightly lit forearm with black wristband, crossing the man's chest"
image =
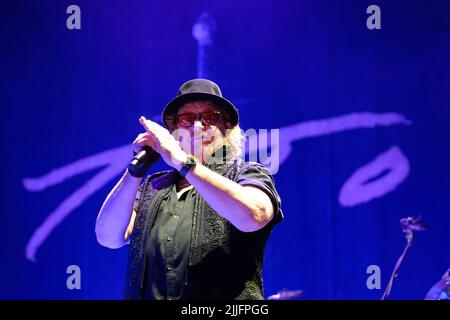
pixel 247 208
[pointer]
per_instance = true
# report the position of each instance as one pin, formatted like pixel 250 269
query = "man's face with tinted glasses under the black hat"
pixel 201 138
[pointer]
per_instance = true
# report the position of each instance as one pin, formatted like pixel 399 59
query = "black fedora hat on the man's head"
pixel 197 90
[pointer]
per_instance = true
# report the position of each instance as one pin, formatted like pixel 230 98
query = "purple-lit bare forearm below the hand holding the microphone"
pixel 115 214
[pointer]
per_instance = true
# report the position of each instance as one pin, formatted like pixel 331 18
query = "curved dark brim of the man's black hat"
pixel 173 106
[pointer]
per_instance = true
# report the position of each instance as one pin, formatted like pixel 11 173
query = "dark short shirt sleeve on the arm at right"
pixel 257 175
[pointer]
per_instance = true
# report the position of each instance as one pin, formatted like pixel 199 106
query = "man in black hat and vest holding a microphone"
pixel 197 231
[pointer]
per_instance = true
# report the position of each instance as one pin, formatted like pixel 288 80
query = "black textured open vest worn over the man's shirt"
pixel 224 263
